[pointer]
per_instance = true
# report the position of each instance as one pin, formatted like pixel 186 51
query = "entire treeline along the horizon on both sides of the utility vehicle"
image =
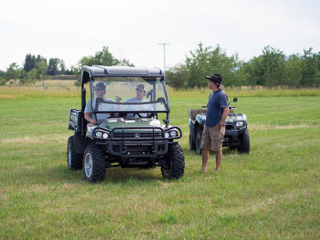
pixel 271 69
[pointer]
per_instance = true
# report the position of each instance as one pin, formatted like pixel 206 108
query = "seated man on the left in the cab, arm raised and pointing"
pixel 100 91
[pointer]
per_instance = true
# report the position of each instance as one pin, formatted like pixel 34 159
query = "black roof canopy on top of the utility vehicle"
pixel 118 71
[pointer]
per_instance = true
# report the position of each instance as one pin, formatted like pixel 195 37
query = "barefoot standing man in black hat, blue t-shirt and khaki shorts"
pixel 214 129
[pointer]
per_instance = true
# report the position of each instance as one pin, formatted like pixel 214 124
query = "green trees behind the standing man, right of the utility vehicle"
pixel 271 69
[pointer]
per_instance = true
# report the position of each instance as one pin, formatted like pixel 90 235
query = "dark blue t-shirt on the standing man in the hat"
pixel 217 101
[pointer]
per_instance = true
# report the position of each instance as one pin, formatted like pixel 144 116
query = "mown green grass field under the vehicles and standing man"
pixel 271 193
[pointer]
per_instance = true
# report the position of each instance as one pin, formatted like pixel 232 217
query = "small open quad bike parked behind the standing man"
pixel 236 135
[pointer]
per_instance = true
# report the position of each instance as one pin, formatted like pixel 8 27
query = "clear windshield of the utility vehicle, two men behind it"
pixel 128 96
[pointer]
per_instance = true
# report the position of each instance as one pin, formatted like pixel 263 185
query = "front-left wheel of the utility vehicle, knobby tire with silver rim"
pixel 94 163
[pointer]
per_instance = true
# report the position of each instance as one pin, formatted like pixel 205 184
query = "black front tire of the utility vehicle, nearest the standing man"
pixel 176 163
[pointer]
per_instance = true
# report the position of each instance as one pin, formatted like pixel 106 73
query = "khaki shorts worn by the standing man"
pixel 212 138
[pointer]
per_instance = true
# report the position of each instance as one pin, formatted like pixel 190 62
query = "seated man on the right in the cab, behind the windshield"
pixel 141 91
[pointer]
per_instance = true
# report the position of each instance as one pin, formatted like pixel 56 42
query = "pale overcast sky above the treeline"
pixel 135 29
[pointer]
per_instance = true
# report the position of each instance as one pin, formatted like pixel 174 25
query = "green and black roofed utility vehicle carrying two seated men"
pixel 128 134
